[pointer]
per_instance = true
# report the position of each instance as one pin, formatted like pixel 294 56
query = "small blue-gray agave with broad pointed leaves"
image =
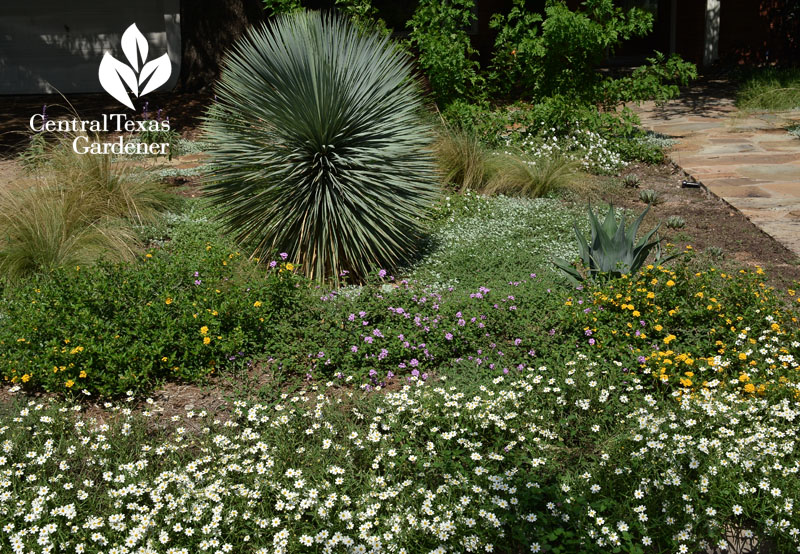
pixel 612 250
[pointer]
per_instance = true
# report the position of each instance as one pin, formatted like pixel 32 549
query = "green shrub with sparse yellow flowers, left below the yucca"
pixel 179 313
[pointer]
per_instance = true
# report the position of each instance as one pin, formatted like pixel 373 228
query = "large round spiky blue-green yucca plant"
pixel 318 146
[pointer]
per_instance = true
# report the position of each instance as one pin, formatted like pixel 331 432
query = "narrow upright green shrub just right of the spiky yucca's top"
pixel 445 53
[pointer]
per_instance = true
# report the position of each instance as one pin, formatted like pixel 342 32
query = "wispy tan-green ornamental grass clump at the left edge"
pixel 74 209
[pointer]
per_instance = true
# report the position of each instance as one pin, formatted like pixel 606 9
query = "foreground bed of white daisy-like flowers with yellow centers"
pixel 574 456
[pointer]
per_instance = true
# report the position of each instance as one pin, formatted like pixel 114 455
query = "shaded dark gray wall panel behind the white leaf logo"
pixel 56 45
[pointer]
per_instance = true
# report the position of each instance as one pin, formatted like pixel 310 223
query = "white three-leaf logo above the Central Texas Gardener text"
pixel 117 78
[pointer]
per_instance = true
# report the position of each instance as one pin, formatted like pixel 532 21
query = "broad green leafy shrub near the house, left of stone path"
pixel 558 55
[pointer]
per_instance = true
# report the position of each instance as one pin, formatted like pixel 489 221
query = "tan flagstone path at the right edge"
pixel 749 161
